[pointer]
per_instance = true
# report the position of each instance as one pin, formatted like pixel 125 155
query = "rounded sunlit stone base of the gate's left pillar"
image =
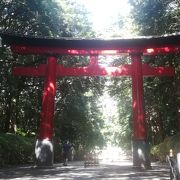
pixel 44 153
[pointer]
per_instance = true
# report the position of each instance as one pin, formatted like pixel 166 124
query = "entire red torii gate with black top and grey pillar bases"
pixel 93 47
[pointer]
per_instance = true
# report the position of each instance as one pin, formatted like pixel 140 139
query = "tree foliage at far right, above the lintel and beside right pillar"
pixel 161 94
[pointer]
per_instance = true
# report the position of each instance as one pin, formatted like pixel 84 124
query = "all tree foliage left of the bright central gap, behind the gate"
pixel 77 116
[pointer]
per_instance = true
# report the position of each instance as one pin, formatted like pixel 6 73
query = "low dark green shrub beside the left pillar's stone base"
pixel 16 149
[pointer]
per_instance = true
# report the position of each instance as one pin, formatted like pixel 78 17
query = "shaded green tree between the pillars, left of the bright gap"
pixel 78 117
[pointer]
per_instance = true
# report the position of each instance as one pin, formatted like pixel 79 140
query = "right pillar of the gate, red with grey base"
pixel 139 139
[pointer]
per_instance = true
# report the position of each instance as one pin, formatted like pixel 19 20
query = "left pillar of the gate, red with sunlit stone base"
pixel 44 145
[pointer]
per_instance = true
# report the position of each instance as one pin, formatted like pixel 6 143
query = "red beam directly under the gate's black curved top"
pixel 20 49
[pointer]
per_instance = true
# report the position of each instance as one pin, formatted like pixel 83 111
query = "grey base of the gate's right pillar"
pixel 141 154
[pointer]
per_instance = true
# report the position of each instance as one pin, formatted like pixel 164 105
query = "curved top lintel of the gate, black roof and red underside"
pixel 45 45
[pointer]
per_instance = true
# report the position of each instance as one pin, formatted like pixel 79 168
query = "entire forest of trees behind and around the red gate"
pixel 81 115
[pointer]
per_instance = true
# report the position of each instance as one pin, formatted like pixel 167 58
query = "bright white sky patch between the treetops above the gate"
pixel 105 12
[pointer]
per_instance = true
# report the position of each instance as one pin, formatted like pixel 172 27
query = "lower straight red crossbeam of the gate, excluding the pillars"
pixel 94 70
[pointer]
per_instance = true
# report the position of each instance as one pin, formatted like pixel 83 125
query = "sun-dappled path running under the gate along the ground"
pixel 75 170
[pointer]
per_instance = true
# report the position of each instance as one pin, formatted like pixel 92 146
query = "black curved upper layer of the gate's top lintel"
pixel 167 40
